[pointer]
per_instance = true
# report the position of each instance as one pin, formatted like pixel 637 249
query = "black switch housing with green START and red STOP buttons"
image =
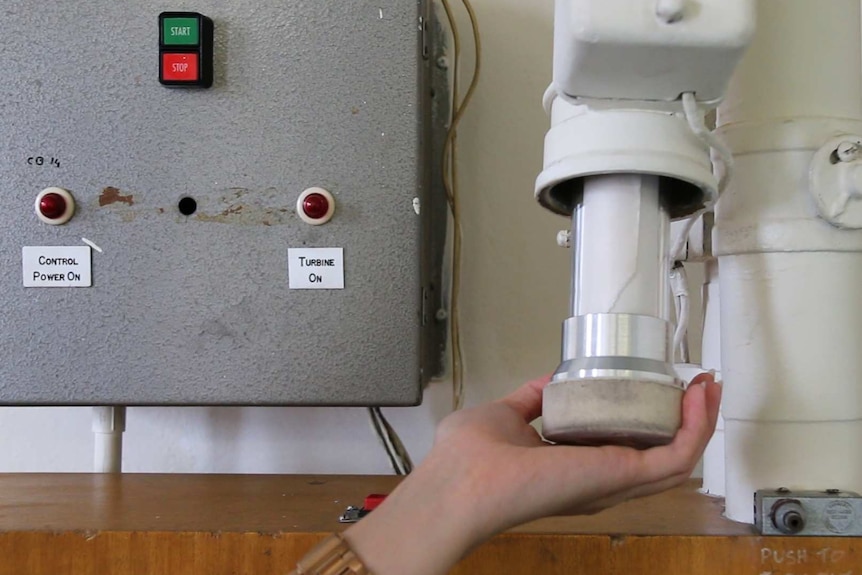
pixel 185 38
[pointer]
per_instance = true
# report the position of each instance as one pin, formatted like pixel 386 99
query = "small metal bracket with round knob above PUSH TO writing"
pixel 831 513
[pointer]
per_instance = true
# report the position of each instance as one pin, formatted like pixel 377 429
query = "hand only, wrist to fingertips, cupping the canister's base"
pixel 519 477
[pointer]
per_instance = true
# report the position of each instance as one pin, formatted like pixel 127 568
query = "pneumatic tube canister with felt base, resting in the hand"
pixel 616 383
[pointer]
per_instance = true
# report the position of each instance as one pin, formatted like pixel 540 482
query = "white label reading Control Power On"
pixel 57 266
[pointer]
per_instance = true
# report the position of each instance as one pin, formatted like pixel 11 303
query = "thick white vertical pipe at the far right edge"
pixel 791 318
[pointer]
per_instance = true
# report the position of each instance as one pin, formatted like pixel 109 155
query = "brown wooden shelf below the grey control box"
pixel 261 525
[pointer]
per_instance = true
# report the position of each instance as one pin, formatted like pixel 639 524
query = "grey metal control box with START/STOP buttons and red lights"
pixel 165 169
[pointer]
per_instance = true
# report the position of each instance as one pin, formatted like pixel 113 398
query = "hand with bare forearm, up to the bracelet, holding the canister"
pixel 489 470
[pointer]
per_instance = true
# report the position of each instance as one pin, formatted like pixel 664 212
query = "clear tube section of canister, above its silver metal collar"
pixel 620 241
